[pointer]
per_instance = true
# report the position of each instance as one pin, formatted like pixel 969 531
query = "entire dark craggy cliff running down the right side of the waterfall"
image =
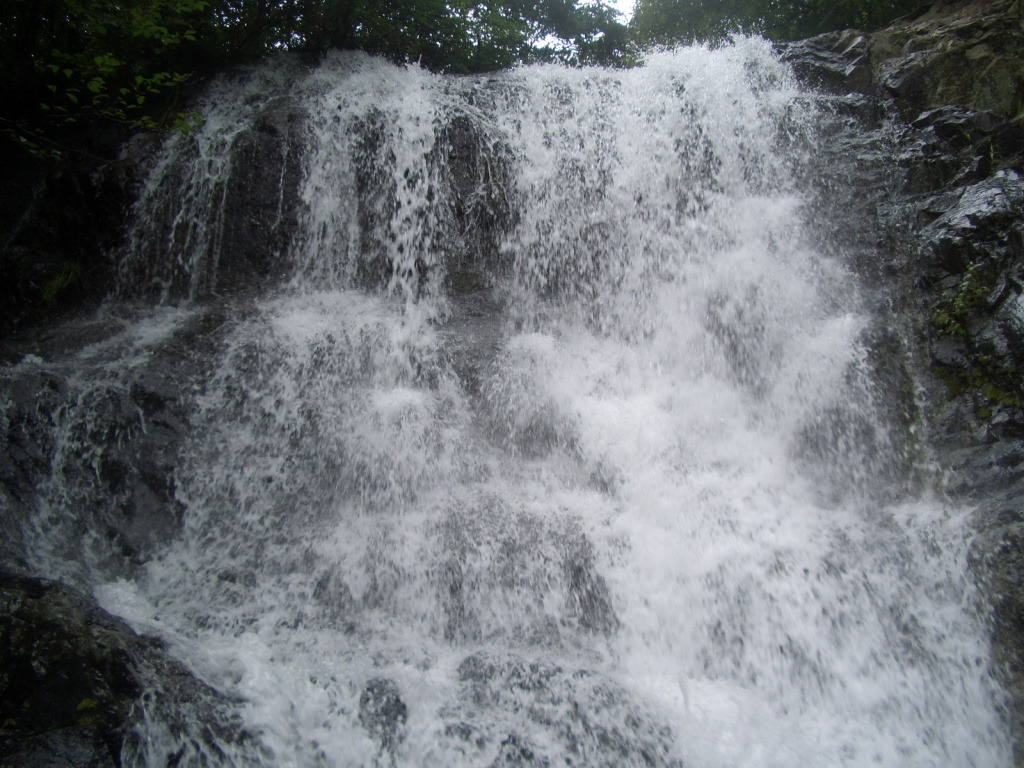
pixel 941 96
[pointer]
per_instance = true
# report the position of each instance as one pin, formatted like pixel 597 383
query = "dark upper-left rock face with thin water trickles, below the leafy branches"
pixel 231 233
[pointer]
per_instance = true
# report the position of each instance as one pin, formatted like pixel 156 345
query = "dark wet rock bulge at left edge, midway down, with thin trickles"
pixel 103 457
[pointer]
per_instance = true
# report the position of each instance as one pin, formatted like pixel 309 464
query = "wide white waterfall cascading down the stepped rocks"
pixel 559 443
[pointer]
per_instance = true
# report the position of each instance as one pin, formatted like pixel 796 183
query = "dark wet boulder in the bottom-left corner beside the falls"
pixel 78 688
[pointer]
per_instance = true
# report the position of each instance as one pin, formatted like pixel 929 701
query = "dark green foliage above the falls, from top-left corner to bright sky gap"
pixel 65 63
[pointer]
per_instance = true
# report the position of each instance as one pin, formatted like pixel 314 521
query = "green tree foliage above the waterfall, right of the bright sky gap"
pixel 672 22
